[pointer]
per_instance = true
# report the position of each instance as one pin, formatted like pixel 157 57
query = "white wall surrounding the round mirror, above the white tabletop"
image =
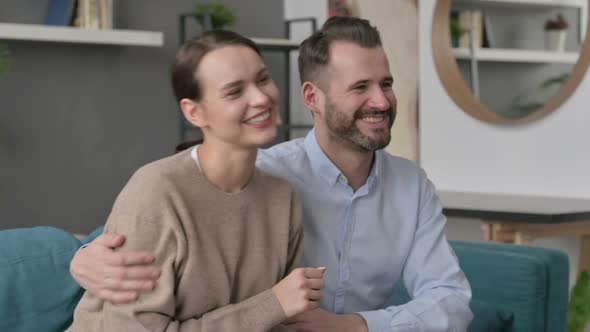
pixel 459 152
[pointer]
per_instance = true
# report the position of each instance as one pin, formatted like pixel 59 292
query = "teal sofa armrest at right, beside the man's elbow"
pixel 531 282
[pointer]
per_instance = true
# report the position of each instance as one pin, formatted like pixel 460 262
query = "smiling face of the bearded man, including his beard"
pixel 360 105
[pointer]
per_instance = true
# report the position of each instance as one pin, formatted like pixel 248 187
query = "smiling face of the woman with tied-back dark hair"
pixel 240 101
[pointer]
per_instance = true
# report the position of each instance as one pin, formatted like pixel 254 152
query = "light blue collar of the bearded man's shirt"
pixel 323 167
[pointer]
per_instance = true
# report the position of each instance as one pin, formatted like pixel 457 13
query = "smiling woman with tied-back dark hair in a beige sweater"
pixel 226 235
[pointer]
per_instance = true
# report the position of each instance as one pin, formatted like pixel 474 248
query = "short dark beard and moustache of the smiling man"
pixel 344 128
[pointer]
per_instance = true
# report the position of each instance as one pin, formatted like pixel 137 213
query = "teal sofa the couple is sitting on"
pixel 515 288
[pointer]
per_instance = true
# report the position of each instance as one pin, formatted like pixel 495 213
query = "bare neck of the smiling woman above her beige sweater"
pixel 226 167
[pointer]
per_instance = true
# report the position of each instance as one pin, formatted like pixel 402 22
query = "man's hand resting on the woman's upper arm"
pixel 116 277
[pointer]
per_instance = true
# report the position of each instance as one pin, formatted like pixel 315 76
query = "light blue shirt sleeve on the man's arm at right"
pixel 439 290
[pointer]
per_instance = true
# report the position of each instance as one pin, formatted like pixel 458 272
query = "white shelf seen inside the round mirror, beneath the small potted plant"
pixel 517 56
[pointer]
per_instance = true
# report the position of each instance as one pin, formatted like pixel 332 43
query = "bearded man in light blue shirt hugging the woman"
pixel 369 217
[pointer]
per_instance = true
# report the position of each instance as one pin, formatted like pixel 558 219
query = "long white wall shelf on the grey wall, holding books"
pixel 46 33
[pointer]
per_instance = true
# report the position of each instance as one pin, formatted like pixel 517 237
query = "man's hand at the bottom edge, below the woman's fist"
pixel 321 320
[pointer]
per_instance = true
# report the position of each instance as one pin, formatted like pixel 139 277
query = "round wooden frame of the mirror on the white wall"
pixel 457 88
